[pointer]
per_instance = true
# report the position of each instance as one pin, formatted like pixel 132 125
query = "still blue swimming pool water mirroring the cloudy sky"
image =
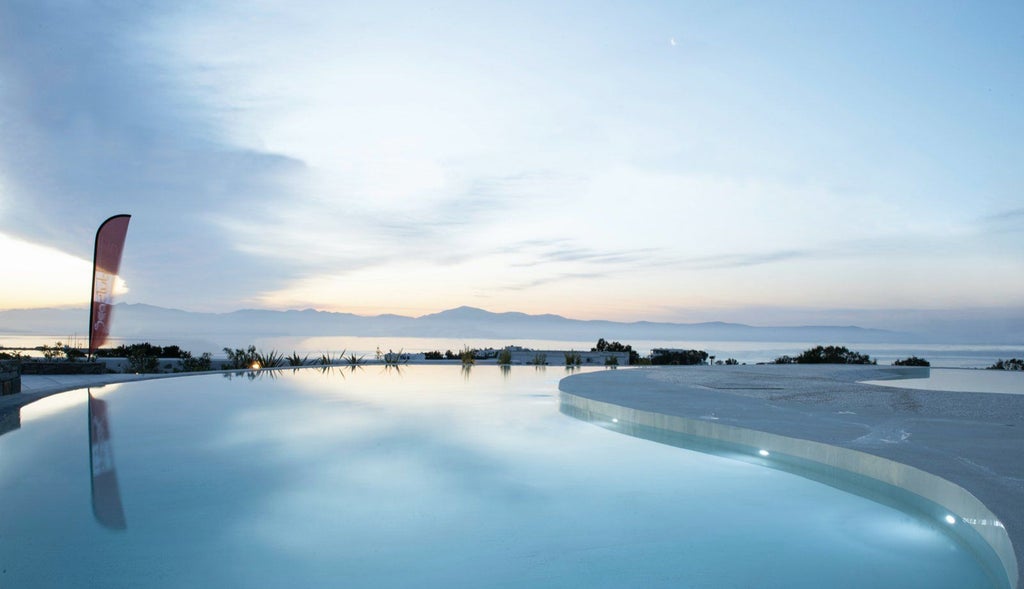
pixel 423 477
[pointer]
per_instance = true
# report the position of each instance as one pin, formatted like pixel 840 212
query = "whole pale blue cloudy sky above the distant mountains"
pixel 773 163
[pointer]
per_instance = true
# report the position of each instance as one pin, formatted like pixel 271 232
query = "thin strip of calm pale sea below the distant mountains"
pixel 942 356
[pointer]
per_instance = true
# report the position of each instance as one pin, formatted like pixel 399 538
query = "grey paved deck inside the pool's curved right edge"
pixel 973 440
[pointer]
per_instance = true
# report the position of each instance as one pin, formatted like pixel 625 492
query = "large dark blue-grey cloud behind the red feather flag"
pixel 95 125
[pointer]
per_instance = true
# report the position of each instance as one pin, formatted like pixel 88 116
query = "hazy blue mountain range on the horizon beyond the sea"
pixel 143 322
